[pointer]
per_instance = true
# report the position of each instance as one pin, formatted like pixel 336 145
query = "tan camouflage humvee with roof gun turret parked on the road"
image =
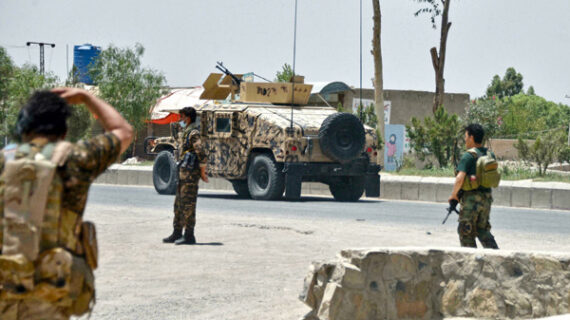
pixel 266 149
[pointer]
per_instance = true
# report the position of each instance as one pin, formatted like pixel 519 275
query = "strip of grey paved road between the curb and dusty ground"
pixel 425 214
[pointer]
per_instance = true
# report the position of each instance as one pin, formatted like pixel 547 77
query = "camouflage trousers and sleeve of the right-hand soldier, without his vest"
pixel 475 209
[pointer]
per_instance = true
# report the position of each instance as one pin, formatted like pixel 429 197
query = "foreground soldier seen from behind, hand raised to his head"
pixel 47 263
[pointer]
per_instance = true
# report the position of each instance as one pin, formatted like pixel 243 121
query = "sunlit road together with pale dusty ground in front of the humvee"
pixel 253 255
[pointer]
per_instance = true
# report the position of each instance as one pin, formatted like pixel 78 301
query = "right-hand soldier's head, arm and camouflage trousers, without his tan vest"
pixel 475 202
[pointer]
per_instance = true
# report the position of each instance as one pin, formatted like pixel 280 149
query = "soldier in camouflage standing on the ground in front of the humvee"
pixel 192 167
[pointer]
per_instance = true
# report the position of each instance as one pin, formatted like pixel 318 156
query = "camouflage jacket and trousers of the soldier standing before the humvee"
pixel 187 189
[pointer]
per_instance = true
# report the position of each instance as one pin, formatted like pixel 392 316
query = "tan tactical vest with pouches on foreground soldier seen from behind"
pixel 47 252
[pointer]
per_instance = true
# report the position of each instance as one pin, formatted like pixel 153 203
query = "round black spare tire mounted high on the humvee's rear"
pixel 342 137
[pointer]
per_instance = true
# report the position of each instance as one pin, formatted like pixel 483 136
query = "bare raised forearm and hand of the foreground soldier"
pixel 111 119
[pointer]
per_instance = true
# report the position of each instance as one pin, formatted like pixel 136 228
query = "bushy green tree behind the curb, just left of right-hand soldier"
pixel 440 136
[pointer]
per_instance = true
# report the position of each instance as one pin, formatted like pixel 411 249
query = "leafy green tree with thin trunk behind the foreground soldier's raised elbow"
pixel 126 85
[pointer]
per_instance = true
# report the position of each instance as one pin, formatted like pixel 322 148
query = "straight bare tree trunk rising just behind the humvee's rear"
pixel 378 77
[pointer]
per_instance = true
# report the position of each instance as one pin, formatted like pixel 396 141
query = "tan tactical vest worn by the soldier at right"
pixel 487 171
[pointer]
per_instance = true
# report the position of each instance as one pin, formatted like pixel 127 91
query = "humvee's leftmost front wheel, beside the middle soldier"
pixel 165 173
